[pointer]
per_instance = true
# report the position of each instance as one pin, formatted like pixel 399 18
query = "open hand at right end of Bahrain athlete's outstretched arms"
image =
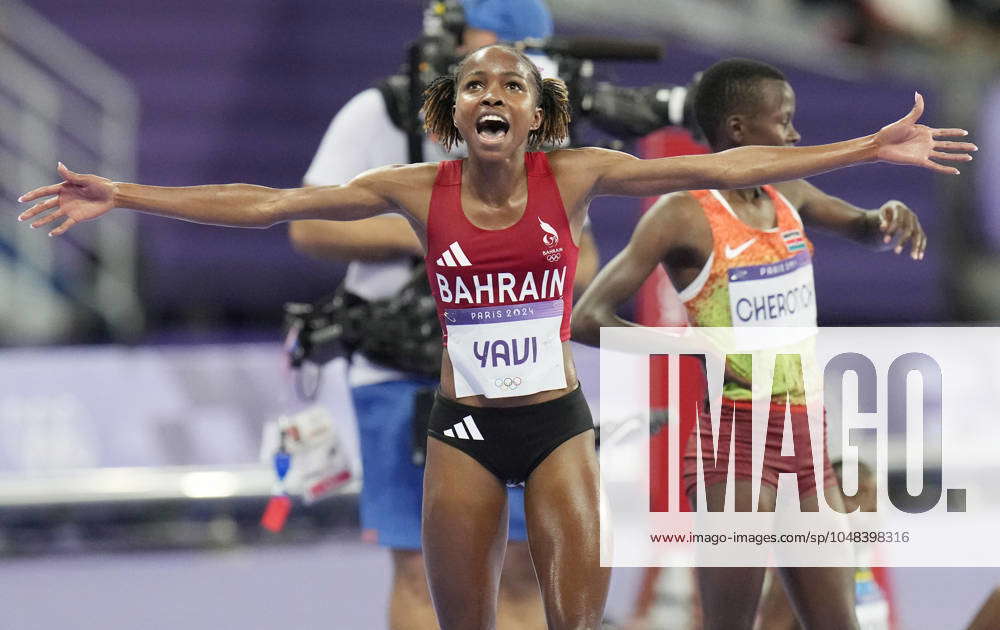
pixel 906 142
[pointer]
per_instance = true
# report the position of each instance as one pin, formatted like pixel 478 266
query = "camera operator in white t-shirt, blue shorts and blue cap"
pixel 389 402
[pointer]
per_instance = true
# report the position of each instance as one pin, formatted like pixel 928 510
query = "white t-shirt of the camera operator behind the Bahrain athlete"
pixel 362 137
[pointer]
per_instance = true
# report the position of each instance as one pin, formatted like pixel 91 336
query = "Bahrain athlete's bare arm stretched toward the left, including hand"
pixel 81 198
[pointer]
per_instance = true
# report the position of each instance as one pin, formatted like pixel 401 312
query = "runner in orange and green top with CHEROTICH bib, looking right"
pixel 741 257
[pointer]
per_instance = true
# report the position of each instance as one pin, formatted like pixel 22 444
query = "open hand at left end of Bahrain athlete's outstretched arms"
pixel 78 198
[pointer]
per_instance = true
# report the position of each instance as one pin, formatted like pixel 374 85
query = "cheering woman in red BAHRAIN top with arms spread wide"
pixel 499 105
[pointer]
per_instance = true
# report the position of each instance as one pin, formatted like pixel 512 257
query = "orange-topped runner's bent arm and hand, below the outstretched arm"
pixel 892 226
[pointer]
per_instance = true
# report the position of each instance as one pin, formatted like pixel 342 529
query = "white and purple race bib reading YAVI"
pixel 504 351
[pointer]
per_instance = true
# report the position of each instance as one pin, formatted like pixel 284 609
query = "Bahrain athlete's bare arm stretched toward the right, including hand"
pixel 902 142
